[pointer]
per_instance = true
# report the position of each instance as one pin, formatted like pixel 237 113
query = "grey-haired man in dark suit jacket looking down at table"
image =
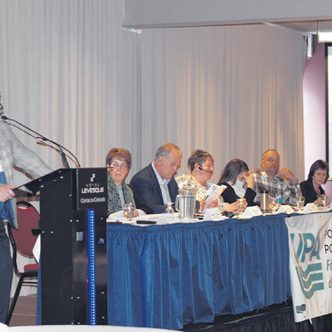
pixel 154 186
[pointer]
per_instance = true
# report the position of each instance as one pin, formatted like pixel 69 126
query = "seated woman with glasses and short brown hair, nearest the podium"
pixel 118 163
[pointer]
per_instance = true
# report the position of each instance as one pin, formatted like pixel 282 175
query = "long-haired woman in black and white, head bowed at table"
pixel 239 182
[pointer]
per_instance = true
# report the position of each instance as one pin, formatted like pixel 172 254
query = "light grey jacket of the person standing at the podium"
pixel 14 153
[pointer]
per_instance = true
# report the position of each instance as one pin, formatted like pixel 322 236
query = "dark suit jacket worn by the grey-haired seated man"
pixel 147 192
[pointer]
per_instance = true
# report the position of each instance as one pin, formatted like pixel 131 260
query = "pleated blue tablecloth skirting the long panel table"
pixel 168 276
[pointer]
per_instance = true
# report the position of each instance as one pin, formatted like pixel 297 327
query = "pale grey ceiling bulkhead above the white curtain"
pixel 180 13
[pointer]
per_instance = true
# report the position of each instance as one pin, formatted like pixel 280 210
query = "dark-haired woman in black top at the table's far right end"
pixel 312 188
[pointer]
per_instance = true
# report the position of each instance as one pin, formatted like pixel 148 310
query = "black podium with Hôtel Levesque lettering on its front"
pixel 67 198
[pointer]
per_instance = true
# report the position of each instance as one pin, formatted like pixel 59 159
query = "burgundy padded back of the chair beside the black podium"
pixel 27 220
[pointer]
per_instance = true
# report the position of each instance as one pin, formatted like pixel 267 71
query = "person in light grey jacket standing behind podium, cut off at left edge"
pixel 12 153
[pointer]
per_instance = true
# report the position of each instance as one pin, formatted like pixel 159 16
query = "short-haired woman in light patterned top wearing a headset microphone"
pixel 201 165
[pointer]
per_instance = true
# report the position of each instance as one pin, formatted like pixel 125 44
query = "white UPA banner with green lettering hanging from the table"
pixel 310 264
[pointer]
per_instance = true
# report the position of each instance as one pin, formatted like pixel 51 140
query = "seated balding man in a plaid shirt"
pixel 268 178
